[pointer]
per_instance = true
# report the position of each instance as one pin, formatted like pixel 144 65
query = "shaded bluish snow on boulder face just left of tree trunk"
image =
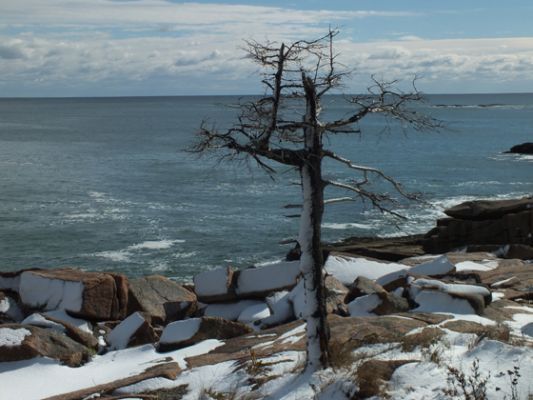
pixel 268 278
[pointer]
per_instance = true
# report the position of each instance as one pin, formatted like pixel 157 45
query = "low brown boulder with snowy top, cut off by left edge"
pixel 22 342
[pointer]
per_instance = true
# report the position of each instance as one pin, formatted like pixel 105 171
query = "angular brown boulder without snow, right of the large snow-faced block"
pixel 161 298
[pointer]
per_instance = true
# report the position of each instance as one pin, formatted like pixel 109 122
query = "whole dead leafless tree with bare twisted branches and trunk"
pixel 284 127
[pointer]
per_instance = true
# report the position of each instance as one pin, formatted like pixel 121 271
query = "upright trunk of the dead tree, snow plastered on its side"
pixel 311 260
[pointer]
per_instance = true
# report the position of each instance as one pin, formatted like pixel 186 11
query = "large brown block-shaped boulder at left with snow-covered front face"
pixel 91 295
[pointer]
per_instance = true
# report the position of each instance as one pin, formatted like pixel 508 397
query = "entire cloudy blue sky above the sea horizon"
pixel 164 47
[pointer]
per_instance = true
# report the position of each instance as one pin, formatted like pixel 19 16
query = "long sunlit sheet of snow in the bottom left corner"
pixel 50 378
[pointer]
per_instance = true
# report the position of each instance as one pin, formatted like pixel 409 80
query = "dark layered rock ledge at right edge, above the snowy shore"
pixel 475 223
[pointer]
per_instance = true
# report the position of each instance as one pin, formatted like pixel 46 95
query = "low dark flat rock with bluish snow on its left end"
pixel 190 331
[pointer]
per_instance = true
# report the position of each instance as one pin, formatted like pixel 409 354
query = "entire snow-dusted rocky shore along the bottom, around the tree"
pixel 470 279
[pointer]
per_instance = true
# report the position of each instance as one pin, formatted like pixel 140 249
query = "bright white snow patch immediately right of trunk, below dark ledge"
pixel 347 269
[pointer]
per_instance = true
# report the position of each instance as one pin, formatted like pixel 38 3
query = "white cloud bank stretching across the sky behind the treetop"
pixel 171 48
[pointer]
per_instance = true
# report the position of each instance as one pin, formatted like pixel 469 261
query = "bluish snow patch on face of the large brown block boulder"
pixel 50 294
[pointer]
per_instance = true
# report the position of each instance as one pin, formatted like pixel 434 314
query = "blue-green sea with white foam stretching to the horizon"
pixel 104 183
